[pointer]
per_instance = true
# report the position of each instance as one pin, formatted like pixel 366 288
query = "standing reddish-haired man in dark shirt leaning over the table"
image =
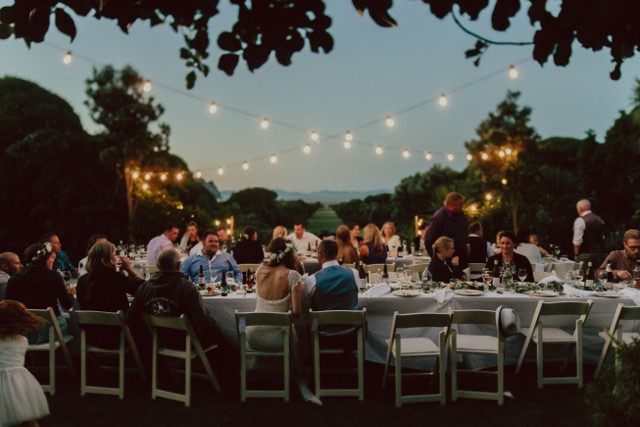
pixel 449 221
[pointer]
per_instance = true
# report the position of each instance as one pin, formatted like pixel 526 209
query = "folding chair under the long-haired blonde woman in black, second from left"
pixel 90 318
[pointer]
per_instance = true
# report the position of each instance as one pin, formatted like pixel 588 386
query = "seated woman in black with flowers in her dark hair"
pixel 37 286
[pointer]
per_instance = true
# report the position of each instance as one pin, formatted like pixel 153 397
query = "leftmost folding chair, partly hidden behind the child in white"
pixel 57 340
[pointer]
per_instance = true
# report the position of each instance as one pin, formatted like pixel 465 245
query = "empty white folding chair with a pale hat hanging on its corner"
pixel 477 344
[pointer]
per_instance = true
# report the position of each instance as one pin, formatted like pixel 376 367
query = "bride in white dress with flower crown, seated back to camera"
pixel 280 289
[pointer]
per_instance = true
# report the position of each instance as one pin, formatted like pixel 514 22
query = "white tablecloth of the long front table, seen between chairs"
pixel 380 311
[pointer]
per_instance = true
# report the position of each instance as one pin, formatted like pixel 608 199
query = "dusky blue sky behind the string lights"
pixel 371 73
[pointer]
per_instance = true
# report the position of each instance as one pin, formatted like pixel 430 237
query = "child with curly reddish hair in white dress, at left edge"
pixel 22 399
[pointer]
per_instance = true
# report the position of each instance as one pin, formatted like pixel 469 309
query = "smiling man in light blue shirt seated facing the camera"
pixel 214 262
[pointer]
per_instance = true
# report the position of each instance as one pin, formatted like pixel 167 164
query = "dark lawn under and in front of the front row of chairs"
pixel 561 405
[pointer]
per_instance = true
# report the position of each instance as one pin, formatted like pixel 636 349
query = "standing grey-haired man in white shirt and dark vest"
pixel 588 235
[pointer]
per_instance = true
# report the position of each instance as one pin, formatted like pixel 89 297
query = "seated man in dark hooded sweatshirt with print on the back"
pixel 167 293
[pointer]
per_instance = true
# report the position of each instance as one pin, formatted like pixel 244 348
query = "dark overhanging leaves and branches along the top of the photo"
pixel 285 27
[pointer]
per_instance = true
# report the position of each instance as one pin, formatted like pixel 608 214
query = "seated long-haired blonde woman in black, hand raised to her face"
pixel 103 288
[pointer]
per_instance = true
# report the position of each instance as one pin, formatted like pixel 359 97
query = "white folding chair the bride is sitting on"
pixel 280 320
